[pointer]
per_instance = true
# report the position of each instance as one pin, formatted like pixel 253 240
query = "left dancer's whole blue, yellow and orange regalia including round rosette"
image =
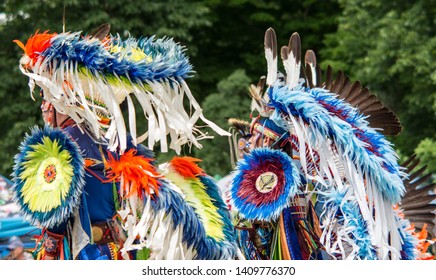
pixel 89 183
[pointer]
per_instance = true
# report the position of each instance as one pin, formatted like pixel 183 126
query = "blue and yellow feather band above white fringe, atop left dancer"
pixel 139 60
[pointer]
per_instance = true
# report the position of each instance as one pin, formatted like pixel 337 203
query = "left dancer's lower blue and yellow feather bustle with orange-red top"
pixel 202 213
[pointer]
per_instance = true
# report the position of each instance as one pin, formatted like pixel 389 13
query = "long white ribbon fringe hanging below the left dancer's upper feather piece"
pixel 162 104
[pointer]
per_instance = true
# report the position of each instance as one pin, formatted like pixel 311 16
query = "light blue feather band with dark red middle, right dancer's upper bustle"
pixel 350 133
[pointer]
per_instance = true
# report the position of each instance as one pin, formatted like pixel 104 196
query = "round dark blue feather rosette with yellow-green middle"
pixel 48 177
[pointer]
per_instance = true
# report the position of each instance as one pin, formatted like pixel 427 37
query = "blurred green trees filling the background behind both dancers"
pixel 388 45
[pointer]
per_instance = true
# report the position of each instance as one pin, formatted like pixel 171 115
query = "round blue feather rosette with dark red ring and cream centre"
pixel 264 184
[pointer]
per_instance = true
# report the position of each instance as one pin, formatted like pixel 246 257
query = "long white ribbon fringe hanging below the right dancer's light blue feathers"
pixel 337 171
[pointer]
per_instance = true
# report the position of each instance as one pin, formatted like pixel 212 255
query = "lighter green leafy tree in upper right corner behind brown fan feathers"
pixel 390 46
